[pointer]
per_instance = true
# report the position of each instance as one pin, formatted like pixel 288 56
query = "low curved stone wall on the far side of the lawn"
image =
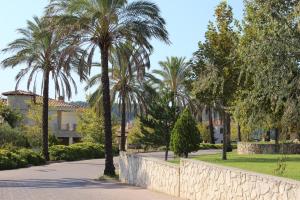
pixel 256 148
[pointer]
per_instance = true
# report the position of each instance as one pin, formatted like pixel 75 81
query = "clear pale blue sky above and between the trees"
pixel 186 22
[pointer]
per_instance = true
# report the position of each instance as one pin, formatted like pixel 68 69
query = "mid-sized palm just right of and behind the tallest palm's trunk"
pixel 126 84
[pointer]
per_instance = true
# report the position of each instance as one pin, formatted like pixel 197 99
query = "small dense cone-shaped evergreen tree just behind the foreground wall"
pixel 185 136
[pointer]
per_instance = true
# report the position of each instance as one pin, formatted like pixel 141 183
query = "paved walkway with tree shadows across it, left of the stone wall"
pixel 68 181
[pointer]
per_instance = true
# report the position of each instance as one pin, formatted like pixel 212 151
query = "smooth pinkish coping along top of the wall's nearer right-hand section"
pixel 238 170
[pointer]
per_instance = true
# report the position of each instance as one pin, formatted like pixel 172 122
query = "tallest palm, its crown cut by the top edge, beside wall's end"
pixel 107 24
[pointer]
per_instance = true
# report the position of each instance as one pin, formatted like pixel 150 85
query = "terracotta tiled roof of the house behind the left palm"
pixel 39 100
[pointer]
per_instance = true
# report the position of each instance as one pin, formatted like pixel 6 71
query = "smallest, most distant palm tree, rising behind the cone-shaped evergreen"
pixel 173 77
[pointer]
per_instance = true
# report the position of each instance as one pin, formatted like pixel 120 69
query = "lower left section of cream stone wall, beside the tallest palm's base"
pixel 149 173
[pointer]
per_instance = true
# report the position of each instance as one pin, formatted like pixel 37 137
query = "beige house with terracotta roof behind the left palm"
pixel 64 116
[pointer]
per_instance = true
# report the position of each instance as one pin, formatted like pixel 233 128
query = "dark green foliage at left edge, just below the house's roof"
pixel 10 115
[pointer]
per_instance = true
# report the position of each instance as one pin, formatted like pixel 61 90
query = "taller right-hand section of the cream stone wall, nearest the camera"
pixel 201 180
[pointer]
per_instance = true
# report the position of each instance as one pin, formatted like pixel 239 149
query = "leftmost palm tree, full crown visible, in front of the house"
pixel 45 52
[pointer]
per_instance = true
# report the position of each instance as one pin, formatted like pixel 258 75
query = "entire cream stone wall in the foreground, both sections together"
pixel 196 180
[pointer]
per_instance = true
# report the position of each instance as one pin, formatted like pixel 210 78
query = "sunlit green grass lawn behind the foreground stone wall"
pixel 265 163
